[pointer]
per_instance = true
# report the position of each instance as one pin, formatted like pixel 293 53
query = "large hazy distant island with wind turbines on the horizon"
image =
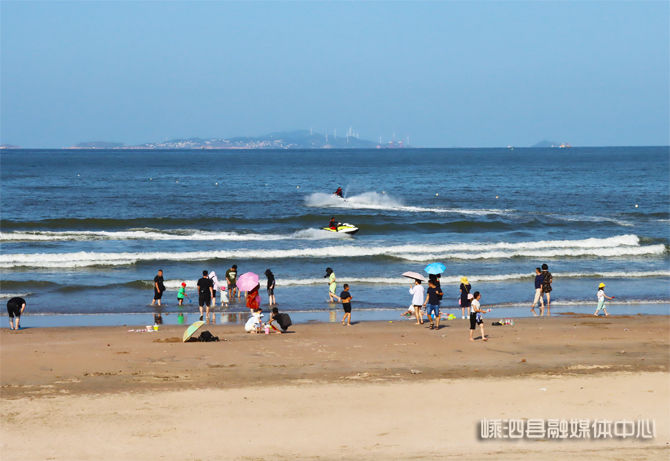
pixel 300 139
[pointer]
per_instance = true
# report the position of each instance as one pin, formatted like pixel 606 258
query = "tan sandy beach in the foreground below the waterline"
pixel 375 390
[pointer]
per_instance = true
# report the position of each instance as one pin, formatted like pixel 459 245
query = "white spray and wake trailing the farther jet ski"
pixel 377 201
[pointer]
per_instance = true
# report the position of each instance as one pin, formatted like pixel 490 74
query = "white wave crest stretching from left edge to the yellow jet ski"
pixel 155 234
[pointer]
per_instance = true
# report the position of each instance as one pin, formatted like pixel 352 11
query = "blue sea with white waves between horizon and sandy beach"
pixel 83 232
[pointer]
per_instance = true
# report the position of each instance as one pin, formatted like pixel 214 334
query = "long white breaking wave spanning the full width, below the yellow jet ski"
pixel 622 245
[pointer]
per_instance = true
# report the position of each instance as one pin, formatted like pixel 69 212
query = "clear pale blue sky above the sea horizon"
pixel 444 74
